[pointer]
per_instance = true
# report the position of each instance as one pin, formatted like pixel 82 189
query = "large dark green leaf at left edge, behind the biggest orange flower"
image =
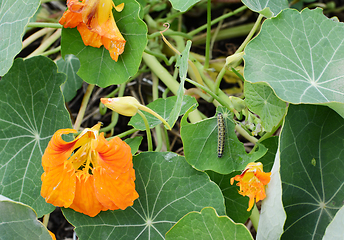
pixel 32 109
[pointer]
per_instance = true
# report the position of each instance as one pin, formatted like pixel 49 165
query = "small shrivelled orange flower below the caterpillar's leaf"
pixel 252 182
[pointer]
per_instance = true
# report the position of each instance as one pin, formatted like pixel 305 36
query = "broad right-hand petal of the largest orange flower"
pixel 115 176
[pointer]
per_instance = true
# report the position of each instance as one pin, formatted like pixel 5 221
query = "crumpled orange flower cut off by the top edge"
pixel 96 24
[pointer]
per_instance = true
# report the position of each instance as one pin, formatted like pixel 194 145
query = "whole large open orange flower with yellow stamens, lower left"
pixel 88 174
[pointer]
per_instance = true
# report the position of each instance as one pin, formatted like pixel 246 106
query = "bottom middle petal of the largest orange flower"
pixel 85 200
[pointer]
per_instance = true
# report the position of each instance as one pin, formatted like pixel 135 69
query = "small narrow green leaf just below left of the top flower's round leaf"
pixel 70 66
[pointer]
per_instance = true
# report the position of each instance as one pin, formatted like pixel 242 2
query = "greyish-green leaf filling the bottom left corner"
pixel 19 221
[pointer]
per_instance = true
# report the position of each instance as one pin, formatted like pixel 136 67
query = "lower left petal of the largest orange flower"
pixel 58 185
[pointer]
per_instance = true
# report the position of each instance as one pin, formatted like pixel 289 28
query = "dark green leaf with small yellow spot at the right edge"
pixel 312 164
